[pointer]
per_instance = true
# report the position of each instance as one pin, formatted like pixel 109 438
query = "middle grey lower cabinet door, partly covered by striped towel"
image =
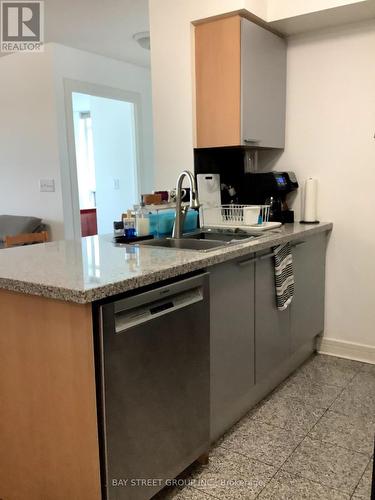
pixel 272 327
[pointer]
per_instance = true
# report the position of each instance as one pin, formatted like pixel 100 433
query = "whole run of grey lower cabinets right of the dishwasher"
pixel 254 346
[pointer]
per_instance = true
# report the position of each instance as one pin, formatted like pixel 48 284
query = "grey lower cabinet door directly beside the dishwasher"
pixel 232 342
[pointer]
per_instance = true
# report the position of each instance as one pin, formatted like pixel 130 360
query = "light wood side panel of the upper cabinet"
pixel 218 82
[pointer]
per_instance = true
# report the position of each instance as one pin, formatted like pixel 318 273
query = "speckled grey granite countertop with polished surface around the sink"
pixel 94 268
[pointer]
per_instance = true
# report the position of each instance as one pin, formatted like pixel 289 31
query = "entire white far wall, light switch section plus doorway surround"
pixel 33 137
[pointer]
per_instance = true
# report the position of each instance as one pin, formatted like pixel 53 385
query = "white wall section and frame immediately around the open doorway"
pixel 83 66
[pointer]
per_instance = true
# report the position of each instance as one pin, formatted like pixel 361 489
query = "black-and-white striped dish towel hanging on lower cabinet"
pixel 284 278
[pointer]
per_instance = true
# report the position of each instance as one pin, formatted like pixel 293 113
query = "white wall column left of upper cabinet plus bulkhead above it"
pixel 172 63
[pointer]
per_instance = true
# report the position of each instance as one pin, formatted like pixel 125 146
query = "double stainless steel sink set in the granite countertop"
pixel 202 241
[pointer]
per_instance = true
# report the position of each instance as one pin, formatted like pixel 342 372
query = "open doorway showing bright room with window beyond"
pixel 105 159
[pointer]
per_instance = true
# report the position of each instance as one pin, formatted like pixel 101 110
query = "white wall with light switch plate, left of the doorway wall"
pixel 29 139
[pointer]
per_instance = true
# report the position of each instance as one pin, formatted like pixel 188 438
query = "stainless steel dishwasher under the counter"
pixel 154 384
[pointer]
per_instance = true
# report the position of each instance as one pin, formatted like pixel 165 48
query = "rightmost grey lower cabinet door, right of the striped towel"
pixel 307 311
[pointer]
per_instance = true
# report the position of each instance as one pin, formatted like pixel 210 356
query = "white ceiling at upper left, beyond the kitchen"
pixel 105 27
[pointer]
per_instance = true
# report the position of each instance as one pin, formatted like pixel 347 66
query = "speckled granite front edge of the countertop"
pixel 198 261
